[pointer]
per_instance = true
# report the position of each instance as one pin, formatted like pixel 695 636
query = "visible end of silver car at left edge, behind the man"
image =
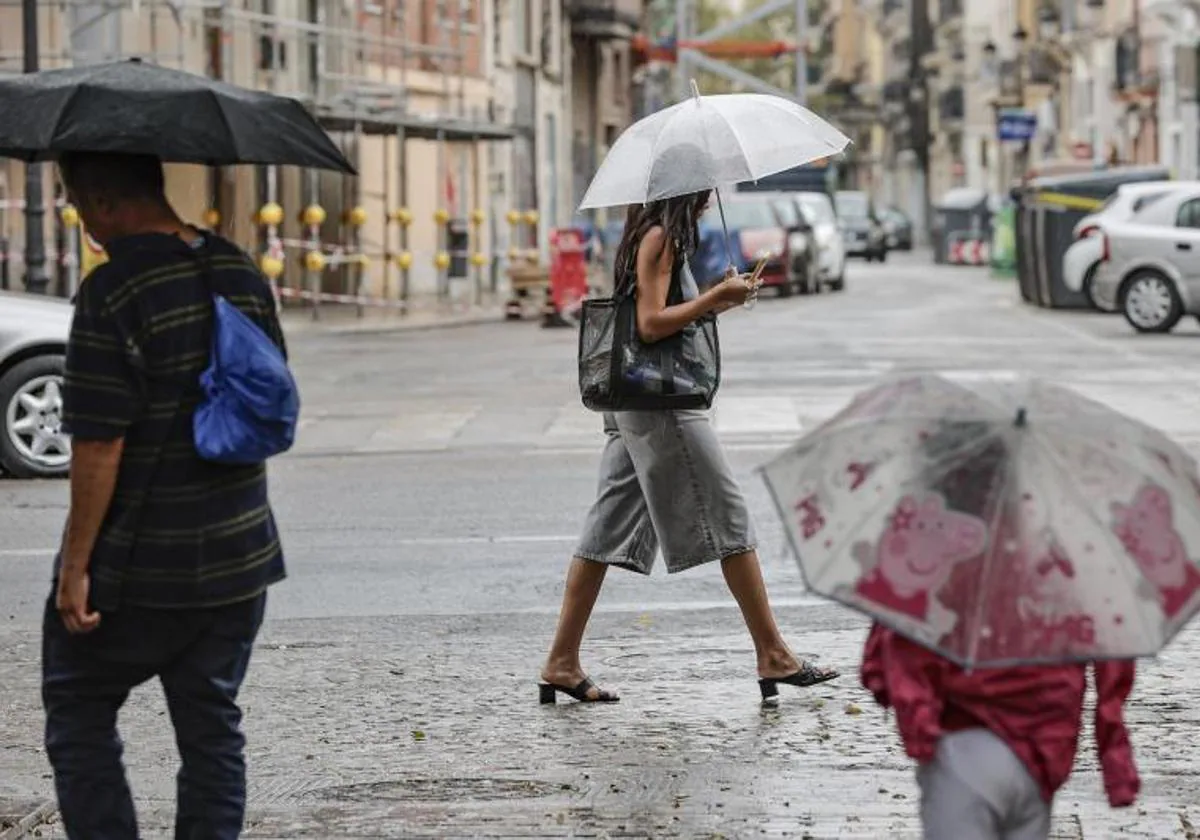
pixel 33 347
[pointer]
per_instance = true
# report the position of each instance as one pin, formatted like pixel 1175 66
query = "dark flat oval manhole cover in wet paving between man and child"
pixel 436 790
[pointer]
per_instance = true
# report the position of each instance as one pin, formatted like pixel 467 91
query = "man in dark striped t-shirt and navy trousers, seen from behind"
pixel 166 557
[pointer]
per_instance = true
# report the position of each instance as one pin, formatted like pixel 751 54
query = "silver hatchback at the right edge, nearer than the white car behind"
pixel 1150 265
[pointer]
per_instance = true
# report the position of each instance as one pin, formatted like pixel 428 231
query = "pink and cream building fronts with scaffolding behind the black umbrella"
pixel 452 110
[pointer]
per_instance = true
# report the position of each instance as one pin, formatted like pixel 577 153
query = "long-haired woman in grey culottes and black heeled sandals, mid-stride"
pixel 664 479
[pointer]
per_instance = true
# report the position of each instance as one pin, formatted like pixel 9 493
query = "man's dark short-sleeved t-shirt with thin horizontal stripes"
pixel 182 532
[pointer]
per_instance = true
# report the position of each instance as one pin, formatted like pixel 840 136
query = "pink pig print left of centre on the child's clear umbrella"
pixel 916 555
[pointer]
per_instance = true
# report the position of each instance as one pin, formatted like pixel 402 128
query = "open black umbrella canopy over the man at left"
pixel 141 109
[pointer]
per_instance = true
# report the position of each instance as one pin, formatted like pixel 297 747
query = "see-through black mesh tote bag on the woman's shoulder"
pixel 620 373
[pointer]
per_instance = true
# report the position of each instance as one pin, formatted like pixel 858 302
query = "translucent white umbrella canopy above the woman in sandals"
pixel 709 142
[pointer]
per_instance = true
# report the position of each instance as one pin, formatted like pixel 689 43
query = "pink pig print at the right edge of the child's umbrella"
pixel 1148 532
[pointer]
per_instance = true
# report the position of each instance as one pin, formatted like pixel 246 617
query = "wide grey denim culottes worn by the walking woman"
pixel 664 482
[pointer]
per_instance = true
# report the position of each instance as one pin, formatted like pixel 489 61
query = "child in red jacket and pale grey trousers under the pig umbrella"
pixel 994 746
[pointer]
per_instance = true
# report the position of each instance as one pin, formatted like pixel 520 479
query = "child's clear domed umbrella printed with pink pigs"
pixel 997 523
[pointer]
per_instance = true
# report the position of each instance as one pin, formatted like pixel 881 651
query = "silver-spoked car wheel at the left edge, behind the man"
pixel 33 443
